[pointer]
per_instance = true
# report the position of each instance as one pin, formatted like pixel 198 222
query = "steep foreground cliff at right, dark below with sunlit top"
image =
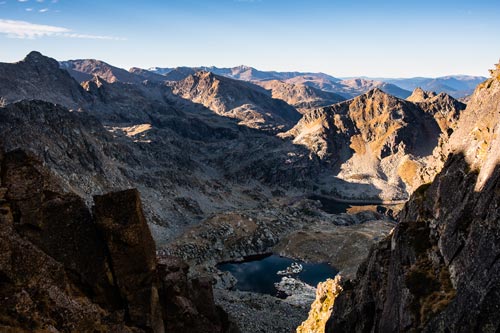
pixel 439 270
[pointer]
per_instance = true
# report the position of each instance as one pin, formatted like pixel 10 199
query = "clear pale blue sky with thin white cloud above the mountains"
pixel 338 37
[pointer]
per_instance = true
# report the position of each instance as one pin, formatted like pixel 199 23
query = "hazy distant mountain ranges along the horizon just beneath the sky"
pixel 458 86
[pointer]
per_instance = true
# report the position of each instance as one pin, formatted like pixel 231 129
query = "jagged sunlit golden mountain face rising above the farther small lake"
pixel 375 139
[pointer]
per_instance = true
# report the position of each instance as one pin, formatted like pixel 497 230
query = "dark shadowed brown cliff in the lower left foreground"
pixel 65 269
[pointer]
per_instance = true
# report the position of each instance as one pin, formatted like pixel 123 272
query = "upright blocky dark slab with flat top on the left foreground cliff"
pixel 131 250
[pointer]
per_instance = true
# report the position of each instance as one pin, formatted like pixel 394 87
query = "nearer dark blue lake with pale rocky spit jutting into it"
pixel 259 274
